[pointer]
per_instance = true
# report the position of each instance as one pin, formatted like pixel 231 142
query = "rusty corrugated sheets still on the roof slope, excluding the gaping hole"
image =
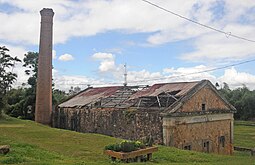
pixel 117 94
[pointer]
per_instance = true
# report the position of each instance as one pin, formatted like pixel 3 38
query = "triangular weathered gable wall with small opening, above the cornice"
pixel 204 96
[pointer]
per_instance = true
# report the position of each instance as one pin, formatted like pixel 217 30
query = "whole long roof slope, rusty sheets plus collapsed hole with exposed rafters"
pixel 157 95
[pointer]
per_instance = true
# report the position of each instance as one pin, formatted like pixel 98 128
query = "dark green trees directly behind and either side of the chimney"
pixel 20 102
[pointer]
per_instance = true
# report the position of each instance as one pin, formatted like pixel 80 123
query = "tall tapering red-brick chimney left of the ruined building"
pixel 43 107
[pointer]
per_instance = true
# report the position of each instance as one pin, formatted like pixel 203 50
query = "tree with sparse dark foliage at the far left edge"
pixel 7 77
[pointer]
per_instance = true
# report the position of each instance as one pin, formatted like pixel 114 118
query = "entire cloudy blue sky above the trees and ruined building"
pixel 93 39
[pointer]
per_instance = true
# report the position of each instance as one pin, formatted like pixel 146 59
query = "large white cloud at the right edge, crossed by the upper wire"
pixel 217 47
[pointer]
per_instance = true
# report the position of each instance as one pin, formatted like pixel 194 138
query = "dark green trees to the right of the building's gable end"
pixel 242 99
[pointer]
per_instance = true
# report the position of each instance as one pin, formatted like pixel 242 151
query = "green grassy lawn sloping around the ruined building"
pixel 32 143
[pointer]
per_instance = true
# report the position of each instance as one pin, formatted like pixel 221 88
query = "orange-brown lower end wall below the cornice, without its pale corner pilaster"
pixel 217 133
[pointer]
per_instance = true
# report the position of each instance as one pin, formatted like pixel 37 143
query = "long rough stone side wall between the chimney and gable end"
pixel 129 124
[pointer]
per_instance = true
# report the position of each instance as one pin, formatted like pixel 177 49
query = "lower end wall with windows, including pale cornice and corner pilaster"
pixel 205 133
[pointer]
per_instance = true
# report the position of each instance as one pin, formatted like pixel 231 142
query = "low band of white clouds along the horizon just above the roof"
pixel 143 77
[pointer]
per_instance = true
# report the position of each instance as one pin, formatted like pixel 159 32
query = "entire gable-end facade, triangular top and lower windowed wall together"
pixel 204 132
